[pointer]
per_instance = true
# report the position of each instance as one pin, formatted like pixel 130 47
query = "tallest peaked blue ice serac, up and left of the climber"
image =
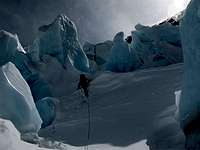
pixel 60 39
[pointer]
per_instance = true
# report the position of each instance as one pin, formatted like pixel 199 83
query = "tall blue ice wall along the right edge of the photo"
pixel 190 103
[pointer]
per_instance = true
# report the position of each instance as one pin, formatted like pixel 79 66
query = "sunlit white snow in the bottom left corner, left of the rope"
pixel 10 140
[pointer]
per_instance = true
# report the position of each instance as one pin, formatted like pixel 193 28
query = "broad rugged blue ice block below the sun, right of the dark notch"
pixel 159 45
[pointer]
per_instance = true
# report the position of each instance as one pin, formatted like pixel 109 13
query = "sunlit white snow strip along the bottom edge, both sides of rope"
pixel 10 140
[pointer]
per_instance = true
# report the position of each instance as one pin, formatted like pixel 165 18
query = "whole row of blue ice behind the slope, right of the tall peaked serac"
pixel 151 46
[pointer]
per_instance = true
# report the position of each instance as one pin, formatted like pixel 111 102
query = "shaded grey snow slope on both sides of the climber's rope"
pixel 123 108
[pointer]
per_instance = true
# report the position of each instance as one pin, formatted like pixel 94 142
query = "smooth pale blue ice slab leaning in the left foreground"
pixel 16 101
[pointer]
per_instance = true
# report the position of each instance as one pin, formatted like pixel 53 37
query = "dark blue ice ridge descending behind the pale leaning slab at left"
pixel 11 50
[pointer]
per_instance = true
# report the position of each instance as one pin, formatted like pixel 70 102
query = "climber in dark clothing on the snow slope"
pixel 83 84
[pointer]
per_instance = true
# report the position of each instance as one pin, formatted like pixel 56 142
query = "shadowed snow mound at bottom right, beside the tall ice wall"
pixel 166 133
